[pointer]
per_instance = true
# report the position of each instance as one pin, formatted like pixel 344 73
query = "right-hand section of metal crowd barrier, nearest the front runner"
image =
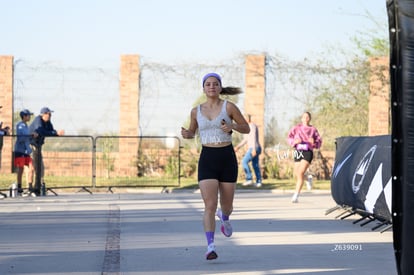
pixel 132 161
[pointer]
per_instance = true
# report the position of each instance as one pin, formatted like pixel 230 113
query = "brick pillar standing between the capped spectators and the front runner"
pixel 128 113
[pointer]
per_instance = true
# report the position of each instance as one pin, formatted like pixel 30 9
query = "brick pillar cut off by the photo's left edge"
pixel 6 113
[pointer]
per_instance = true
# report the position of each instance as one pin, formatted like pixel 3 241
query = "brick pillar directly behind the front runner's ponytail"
pixel 255 92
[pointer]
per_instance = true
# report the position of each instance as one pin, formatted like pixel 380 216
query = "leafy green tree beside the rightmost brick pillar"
pixel 338 92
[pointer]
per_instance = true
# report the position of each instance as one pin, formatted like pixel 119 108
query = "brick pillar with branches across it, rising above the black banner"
pixel 379 97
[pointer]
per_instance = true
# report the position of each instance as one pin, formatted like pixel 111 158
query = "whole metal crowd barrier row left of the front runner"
pixel 86 162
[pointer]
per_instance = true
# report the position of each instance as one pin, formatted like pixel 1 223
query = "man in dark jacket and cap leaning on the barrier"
pixel 40 128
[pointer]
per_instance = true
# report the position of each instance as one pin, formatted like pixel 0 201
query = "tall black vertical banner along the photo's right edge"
pixel 401 29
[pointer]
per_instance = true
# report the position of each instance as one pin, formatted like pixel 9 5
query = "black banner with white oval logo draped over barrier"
pixel 361 175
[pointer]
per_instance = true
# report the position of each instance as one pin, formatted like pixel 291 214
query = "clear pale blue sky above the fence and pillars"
pixel 91 31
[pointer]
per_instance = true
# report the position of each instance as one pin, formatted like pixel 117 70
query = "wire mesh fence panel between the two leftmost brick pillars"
pixel 74 93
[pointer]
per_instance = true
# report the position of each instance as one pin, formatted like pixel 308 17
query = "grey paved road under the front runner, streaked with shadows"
pixel 161 233
